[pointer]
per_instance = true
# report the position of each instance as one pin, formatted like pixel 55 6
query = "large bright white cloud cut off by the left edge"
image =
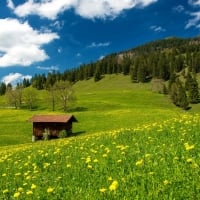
pixel 20 44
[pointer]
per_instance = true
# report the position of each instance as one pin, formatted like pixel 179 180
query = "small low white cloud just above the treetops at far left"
pixel 15 78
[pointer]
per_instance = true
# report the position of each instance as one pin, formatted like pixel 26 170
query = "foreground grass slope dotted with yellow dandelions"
pixel 151 161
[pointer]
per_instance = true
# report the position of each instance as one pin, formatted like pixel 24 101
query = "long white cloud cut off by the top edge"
pixel 86 8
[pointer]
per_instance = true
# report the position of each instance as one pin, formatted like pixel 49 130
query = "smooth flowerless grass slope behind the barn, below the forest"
pixel 112 103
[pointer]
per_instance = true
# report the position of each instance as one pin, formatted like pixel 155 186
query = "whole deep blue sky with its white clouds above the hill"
pixel 38 36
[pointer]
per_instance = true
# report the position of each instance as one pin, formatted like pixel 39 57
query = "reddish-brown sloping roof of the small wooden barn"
pixel 53 118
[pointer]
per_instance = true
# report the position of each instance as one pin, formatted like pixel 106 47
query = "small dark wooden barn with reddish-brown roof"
pixel 52 125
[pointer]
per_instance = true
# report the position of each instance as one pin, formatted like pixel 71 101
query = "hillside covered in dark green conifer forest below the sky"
pixel 172 60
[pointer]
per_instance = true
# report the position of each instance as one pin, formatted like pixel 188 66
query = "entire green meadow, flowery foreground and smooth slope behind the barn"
pixel 129 143
